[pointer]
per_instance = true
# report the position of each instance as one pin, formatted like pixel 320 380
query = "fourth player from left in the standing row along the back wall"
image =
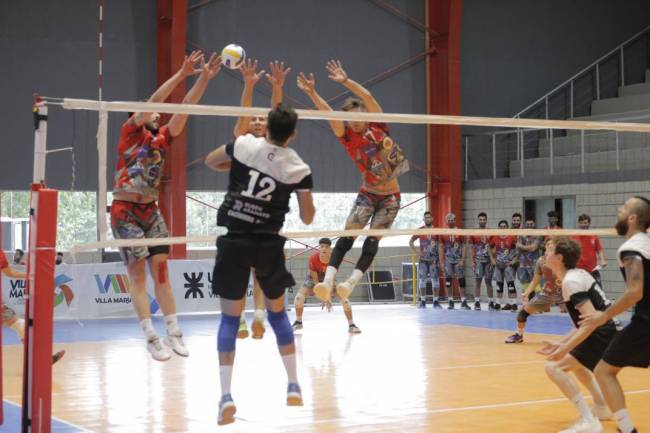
pixel 503 255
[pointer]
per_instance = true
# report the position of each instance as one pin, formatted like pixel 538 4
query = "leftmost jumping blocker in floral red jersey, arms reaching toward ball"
pixel 142 151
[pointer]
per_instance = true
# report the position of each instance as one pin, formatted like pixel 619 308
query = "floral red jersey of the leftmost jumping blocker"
pixel 141 159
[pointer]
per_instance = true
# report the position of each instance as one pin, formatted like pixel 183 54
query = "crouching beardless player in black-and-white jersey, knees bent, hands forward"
pixel 581 349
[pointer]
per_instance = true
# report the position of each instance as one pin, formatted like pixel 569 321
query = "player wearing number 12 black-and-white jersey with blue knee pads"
pixel 264 172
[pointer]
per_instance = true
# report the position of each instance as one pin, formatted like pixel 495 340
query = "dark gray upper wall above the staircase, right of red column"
pixel 513 51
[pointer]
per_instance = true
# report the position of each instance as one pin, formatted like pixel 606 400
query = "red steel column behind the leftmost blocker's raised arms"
pixel 172 30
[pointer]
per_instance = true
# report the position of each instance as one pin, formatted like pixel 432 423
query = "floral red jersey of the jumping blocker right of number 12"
pixel 375 154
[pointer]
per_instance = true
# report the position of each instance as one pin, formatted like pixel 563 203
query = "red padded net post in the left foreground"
pixel 39 305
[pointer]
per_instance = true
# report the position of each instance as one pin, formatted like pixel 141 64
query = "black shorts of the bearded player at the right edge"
pixel 631 347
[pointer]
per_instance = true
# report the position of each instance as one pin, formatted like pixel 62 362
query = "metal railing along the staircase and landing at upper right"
pixel 534 152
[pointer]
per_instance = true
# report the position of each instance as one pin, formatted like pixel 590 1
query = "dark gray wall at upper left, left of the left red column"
pixel 51 48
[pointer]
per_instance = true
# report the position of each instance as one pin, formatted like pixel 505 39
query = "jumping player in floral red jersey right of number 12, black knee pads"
pixel 380 161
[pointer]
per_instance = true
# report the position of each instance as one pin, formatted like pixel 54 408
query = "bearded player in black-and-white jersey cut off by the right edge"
pixel 631 347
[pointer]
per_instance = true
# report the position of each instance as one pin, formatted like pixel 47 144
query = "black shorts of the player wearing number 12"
pixel 238 253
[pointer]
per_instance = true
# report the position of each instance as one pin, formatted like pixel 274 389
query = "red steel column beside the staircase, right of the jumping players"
pixel 444 152
